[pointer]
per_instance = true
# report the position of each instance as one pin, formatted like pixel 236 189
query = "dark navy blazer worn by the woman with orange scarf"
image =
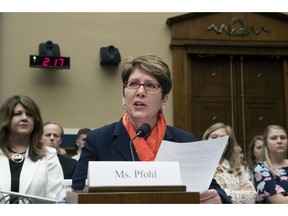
pixel 112 143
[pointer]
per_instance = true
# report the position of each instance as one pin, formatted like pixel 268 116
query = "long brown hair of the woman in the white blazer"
pixel 36 148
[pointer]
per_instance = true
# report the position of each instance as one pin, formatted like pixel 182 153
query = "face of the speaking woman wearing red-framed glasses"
pixel 143 106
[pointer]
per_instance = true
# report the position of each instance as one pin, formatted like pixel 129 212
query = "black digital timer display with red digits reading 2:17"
pixel 49 62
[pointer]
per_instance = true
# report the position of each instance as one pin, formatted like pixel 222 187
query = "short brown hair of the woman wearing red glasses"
pixel 151 64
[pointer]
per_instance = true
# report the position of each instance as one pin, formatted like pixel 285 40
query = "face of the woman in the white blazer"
pixel 22 122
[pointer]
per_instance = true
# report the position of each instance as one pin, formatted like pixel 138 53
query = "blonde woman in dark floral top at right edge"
pixel 271 175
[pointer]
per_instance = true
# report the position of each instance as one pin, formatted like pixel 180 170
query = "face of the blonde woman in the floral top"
pixel 277 141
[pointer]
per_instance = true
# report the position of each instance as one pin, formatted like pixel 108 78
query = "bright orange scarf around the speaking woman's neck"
pixel 147 149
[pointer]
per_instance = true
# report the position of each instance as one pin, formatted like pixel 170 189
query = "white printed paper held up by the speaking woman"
pixel 198 160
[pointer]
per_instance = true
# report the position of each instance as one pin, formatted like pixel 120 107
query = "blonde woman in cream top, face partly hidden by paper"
pixel 230 174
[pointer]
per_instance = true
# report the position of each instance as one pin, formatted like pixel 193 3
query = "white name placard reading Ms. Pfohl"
pixel 122 173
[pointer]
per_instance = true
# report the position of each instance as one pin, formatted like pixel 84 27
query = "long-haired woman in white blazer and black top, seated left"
pixel 27 165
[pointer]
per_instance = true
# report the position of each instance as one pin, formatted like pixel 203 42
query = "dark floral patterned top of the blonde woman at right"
pixel 267 185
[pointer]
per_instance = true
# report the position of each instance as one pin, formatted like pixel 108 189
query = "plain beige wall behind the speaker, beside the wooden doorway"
pixel 86 95
